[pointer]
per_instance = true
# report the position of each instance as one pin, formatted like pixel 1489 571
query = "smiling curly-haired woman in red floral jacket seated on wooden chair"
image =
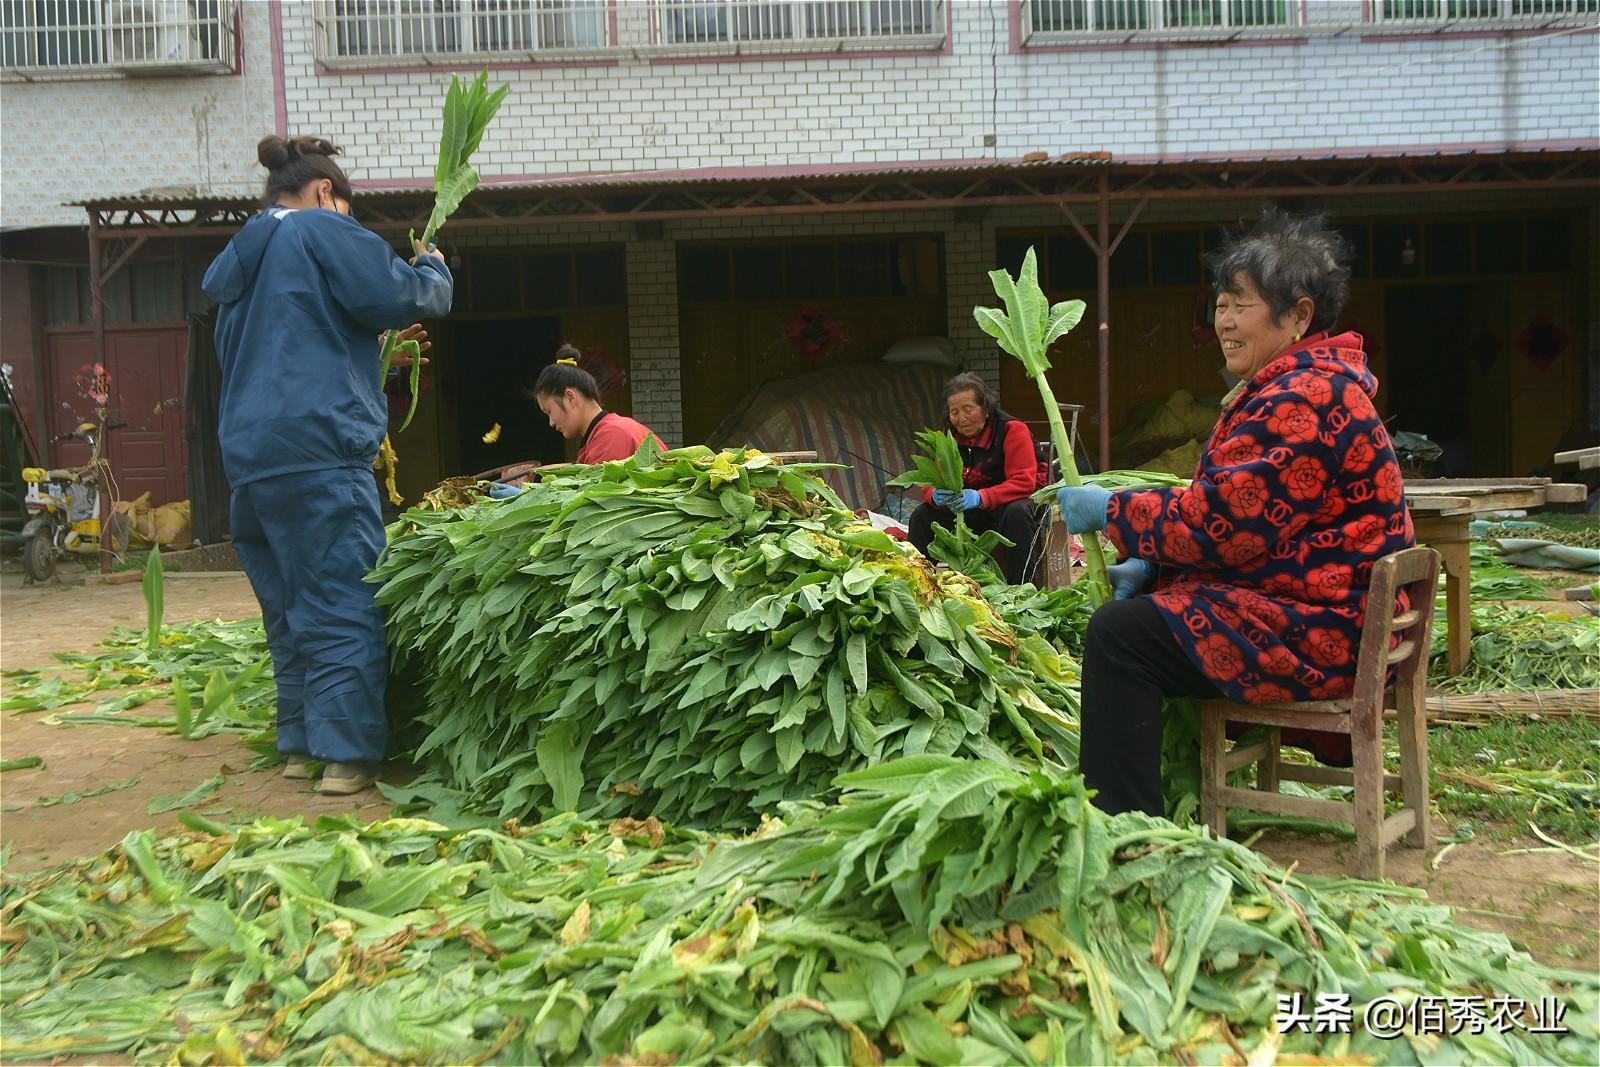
pixel 1262 565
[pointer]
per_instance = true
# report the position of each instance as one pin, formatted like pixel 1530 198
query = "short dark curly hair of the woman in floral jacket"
pixel 1289 257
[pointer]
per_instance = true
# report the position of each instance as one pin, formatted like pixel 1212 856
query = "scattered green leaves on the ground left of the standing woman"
pixel 218 674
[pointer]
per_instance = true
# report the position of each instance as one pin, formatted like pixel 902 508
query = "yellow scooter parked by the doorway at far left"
pixel 66 505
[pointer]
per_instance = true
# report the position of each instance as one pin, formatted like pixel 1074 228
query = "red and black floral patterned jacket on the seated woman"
pixel 1273 546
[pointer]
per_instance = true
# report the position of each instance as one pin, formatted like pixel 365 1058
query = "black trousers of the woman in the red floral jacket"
pixel 1130 663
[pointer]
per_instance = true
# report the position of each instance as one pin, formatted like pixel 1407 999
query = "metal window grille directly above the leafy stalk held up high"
pixel 356 33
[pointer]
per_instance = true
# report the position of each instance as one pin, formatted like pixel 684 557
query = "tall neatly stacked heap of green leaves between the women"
pixel 698 636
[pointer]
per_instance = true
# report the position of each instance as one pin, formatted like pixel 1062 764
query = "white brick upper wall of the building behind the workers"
pixel 1324 94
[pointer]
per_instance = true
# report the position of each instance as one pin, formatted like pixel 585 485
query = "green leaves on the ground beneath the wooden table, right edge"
pixel 1519 649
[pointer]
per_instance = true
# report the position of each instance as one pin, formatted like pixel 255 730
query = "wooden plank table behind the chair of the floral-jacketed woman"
pixel 1442 511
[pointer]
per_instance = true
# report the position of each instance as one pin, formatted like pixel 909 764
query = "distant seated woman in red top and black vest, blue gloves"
pixel 1001 471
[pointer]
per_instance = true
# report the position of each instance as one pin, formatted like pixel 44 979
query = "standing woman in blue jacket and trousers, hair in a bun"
pixel 303 295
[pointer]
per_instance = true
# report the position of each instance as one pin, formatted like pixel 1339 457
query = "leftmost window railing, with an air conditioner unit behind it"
pixel 87 38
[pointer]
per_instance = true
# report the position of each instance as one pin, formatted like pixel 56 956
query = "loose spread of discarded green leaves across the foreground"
pixel 943 913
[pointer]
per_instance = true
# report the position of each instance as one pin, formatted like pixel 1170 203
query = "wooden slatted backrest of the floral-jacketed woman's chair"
pixel 1401 642
